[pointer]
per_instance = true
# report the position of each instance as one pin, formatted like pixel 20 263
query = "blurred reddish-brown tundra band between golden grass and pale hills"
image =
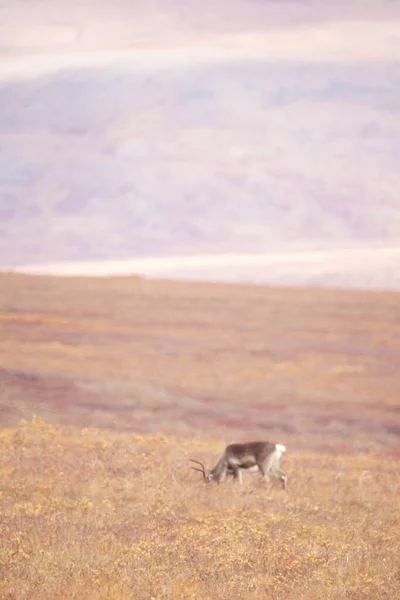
pixel 141 355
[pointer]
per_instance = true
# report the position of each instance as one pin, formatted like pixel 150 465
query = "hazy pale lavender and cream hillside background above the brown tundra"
pixel 170 129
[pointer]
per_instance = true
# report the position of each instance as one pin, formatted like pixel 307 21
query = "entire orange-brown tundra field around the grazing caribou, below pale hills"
pixel 129 378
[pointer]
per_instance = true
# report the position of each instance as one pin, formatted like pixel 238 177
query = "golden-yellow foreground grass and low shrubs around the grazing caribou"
pixel 89 514
